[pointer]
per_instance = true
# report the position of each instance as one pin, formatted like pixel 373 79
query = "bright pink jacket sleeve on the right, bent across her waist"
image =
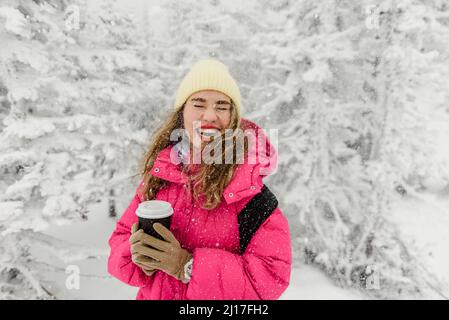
pixel 262 272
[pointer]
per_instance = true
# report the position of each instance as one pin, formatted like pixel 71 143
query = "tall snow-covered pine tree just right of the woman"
pixel 337 58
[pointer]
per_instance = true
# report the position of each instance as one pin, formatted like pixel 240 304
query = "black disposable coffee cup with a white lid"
pixel 152 211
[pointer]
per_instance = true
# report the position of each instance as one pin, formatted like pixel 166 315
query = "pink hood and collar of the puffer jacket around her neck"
pixel 248 177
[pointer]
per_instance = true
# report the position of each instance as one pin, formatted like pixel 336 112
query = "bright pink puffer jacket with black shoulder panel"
pixel 212 236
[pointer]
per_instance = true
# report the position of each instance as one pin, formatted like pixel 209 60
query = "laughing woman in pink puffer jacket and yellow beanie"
pixel 205 255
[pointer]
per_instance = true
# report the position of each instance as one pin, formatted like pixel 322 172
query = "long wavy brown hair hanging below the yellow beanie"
pixel 205 179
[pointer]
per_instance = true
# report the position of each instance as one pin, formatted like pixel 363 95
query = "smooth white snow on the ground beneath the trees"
pixel 424 223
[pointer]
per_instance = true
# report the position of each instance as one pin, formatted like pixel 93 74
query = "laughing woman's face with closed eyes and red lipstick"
pixel 206 113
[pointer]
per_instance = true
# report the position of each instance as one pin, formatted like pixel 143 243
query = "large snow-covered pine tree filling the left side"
pixel 73 94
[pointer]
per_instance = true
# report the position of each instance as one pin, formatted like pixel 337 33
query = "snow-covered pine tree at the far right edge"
pixel 416 59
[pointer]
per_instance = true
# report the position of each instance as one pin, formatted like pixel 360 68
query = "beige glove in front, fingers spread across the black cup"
pixel 169 256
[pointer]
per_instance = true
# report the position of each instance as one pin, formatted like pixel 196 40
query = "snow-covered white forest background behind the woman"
pixel 357 89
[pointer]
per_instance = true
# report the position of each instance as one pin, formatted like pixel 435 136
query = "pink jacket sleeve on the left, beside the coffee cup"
pixel 120 264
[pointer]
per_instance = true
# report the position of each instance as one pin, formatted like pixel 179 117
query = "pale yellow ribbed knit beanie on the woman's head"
pixel 208 74
